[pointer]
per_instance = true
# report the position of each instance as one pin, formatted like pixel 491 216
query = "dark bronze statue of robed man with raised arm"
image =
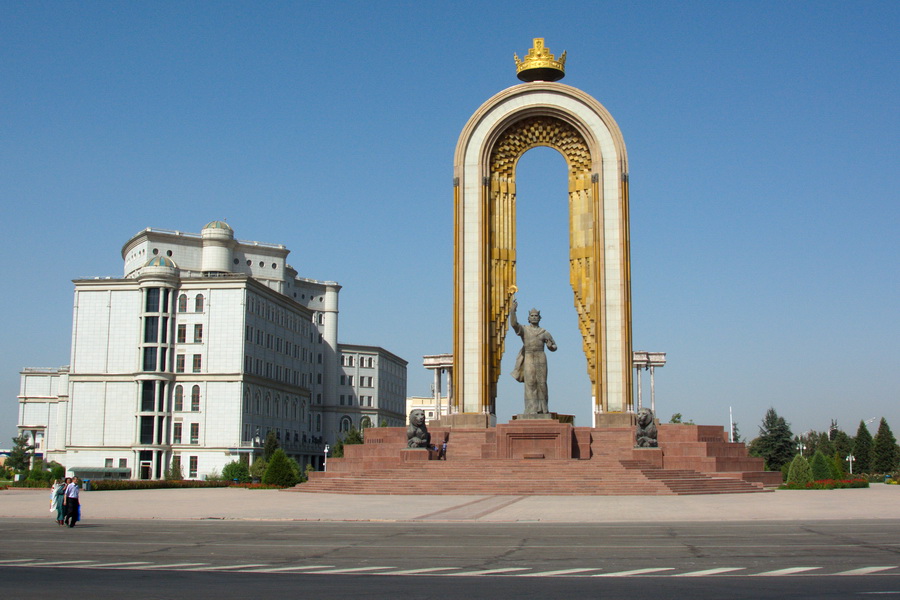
pixel 531 363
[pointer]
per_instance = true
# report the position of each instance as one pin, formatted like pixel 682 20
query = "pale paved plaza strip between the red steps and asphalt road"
pixel 878 502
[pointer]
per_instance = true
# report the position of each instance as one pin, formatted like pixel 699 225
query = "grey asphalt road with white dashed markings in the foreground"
pixel 237 559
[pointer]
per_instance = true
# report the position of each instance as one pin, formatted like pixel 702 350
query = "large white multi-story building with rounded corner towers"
pixel 205 345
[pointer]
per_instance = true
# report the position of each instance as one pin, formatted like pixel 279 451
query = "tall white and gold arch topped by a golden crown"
pixel 540 112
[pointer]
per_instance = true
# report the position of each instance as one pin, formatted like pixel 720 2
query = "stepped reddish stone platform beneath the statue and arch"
pixel 546 457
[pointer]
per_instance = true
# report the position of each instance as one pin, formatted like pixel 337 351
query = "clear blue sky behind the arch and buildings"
pixel 762 140
